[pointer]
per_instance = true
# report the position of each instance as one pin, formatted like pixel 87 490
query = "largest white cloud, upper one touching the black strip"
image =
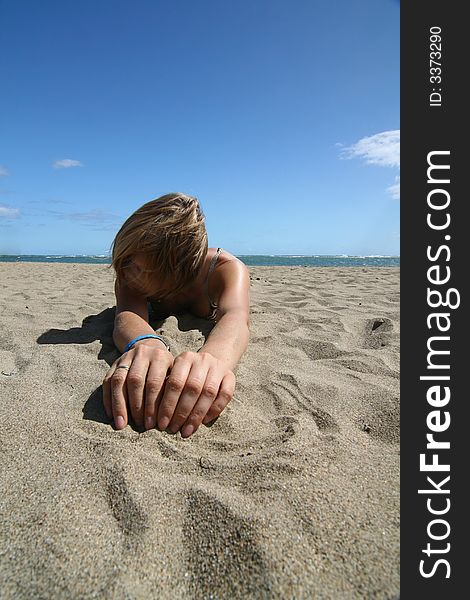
pixel 379 149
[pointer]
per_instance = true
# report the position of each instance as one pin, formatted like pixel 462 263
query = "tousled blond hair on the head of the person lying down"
pixel 169 237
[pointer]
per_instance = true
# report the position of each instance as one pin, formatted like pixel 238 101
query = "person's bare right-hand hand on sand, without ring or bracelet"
pixel 197 390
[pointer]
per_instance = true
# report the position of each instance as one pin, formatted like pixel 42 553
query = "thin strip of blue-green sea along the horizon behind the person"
pixel 254 260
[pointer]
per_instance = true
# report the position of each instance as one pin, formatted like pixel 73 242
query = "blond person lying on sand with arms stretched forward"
pixel 160 257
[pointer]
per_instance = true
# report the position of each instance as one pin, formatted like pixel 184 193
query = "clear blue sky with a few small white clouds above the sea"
pixel 281 117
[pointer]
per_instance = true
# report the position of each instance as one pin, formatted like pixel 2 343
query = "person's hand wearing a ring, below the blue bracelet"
pixel 138 377
